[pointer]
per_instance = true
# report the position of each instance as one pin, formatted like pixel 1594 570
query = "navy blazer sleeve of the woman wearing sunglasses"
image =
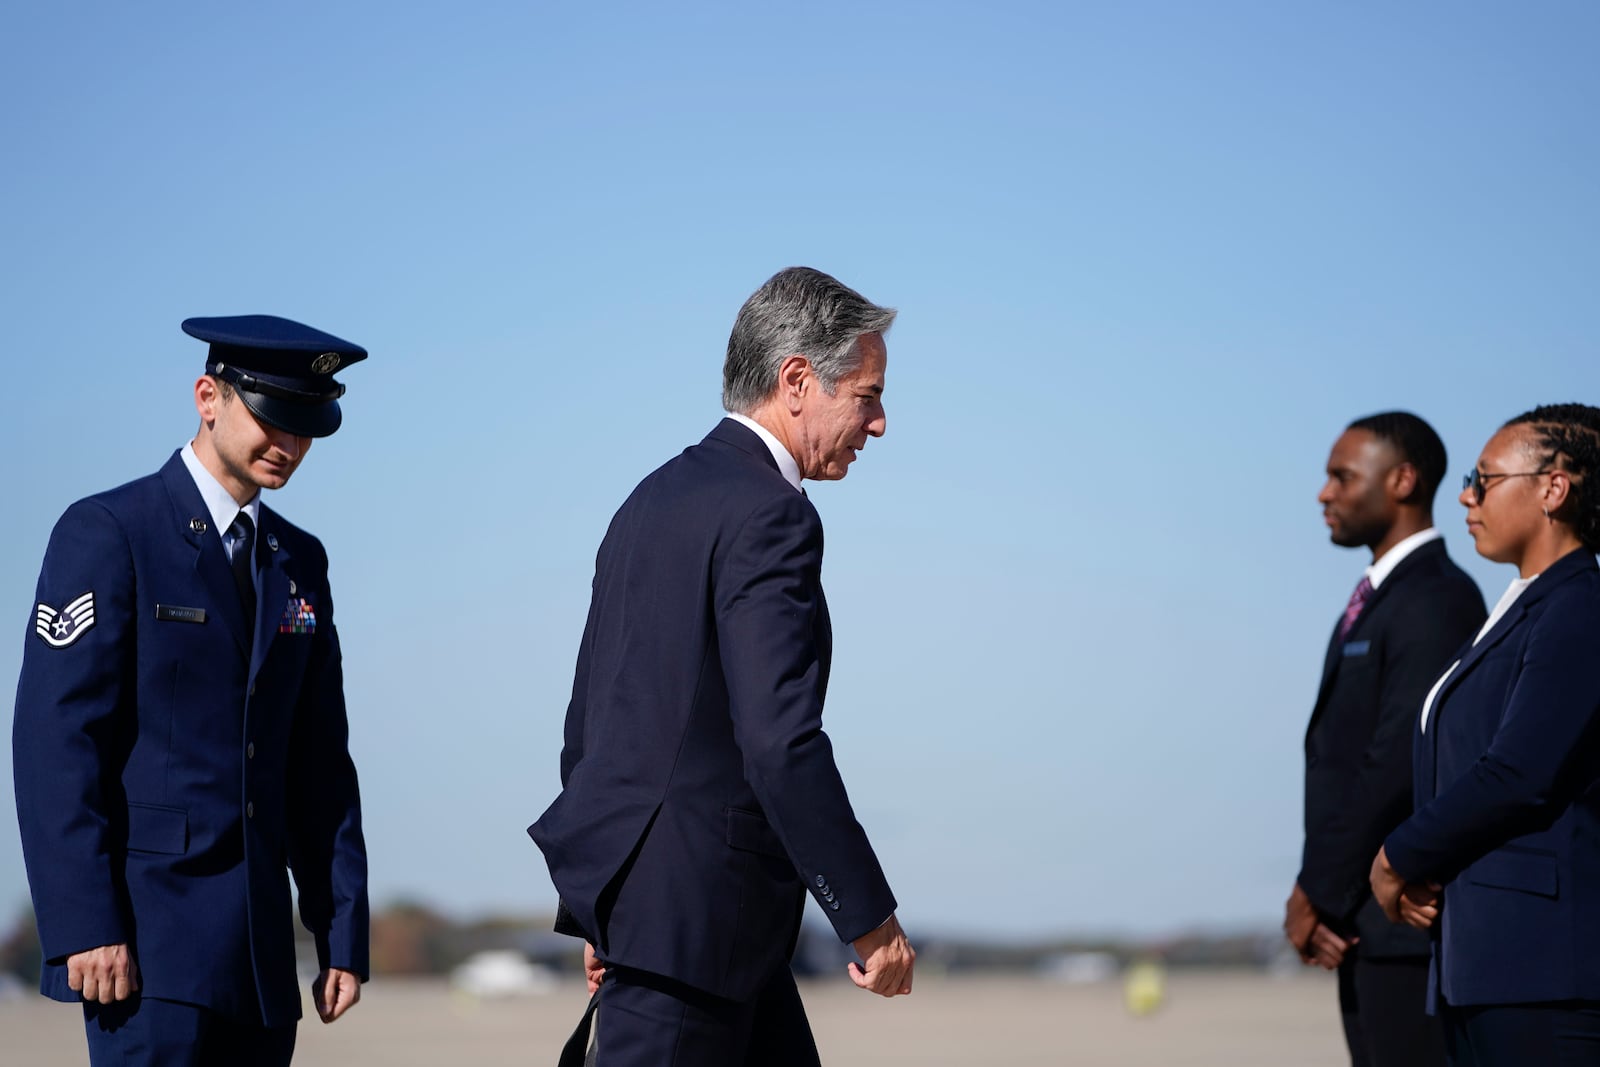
pixel 1542 756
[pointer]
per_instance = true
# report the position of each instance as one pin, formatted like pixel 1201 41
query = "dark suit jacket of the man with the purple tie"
pixel 1359 740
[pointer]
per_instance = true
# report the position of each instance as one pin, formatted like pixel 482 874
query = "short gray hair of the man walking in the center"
pixel 798 313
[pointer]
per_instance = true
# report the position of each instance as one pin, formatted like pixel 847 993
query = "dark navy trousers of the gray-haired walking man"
pixel 652 1021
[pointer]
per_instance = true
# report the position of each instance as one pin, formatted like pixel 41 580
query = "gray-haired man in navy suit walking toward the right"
pixel 700 797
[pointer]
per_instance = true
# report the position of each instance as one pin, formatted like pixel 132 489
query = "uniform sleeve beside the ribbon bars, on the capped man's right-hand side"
pixel 327 849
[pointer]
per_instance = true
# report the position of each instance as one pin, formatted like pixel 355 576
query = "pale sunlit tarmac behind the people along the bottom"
pixel 1210 1020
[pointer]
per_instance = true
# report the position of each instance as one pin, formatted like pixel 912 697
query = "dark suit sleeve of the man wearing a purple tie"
pixel 1418 647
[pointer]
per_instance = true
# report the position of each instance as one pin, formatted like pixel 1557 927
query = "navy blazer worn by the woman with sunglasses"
pixel 1508 789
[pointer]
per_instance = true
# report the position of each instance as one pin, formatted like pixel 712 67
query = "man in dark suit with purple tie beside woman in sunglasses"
pixel 1409 615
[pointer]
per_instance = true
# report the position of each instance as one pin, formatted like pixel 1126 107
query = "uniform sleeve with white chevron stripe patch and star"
pixel 74 717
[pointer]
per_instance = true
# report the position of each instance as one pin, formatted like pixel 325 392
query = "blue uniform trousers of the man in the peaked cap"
pixel 172 1034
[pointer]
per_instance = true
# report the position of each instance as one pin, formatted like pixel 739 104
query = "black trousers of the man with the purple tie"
pixel 1385 1009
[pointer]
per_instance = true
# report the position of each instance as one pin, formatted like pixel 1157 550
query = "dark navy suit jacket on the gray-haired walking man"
pixel 698 789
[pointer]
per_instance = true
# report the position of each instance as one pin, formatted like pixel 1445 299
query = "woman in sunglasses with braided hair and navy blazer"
pixel 1503 852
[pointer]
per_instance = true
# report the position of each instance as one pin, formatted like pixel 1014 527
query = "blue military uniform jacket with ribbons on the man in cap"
pixel 170 772
